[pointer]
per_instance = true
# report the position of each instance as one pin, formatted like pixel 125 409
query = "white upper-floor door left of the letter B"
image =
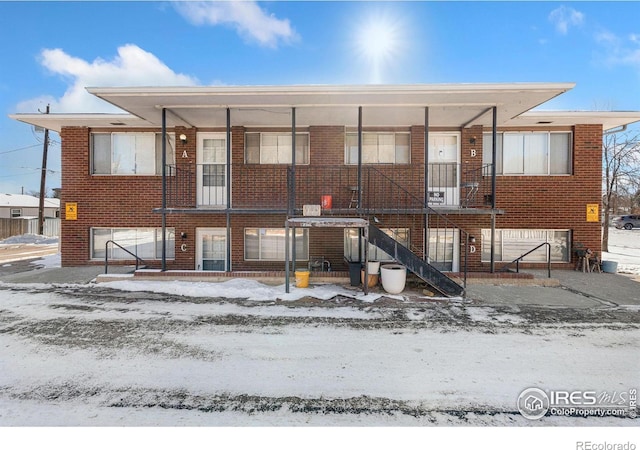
pixel 444 169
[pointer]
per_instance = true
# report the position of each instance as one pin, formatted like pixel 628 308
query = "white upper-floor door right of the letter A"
pixel 211 159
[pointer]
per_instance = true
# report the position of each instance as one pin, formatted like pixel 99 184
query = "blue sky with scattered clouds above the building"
pixel 52 50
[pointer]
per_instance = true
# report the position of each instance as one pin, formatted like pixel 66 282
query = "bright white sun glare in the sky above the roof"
pixel 378 44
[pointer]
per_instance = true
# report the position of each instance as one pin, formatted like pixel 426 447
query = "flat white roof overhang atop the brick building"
pixel 450 106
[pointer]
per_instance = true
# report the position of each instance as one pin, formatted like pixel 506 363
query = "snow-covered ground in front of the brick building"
pixel 132 354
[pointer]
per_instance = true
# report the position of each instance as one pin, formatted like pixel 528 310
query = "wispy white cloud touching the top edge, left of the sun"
pixel 251 22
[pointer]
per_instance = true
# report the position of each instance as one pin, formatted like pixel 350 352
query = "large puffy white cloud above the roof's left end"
pixel 132 66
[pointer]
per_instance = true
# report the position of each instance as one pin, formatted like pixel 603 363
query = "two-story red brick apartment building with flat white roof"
pixel 466 176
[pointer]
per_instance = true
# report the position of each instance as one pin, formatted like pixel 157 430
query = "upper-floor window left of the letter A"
pixel 129 153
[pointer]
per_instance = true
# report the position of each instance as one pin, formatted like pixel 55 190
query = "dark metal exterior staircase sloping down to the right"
pixel 425 271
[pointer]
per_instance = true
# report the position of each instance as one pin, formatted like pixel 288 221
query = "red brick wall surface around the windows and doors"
pixel 556 202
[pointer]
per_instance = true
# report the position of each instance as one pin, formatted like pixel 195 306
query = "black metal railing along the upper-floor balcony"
pixel 384 187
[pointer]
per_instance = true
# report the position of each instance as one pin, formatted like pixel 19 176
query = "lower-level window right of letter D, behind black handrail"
pixel 511 244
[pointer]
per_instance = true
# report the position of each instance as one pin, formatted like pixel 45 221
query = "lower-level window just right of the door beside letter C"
pixel 268 244
